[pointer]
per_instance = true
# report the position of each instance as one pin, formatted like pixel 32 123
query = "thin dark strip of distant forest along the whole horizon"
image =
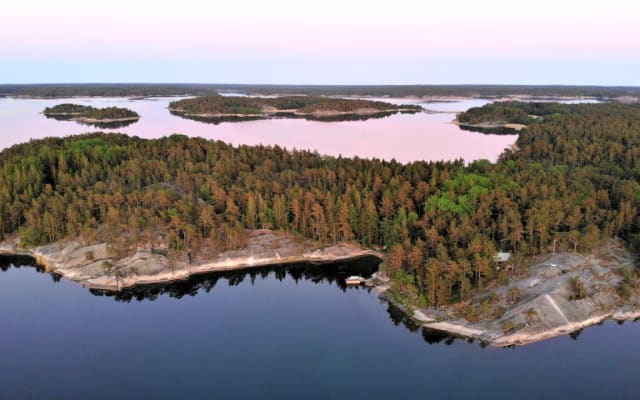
pixel 145 89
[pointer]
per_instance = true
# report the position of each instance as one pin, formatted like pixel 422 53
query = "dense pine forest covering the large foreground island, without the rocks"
pixel 572 183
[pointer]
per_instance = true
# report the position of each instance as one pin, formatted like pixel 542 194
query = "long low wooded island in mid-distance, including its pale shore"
pixel 218 107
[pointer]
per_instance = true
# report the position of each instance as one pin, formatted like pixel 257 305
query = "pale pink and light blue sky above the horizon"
pixel 322 42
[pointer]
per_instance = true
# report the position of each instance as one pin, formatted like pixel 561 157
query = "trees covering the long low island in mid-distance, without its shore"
pixel 217 104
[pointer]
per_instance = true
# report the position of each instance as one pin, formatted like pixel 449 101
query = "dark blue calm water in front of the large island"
pixel 281 334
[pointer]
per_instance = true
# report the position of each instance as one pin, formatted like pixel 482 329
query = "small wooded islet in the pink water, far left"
pixel 108 117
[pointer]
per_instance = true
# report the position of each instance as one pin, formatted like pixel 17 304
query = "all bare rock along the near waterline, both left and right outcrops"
pixel 537 305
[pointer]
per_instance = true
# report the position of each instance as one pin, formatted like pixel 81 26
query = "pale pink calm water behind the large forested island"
pixel 405 137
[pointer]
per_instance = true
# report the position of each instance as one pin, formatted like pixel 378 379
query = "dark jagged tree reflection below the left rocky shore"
pixel 329 273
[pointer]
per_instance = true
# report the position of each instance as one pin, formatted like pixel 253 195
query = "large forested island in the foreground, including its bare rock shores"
pixel 472 249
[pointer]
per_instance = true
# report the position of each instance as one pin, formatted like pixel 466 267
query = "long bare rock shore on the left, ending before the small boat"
pixel 95 266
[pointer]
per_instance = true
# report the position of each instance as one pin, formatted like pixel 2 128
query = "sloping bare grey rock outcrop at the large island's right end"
pixel 542 303
